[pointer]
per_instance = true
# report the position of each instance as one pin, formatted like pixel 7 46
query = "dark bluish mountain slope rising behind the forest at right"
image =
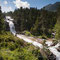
pixel 52 7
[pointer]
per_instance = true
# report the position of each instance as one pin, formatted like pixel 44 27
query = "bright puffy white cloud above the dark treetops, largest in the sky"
pixel 20 3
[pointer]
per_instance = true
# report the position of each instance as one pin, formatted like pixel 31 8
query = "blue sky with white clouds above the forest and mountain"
pixel 11 5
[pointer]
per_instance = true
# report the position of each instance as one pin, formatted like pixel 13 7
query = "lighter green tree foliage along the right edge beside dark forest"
pixel 57 26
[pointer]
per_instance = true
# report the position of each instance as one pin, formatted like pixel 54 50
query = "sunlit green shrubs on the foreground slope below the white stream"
pixel 13 48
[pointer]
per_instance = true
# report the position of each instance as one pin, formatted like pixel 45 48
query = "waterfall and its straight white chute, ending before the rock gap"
pixel 25 38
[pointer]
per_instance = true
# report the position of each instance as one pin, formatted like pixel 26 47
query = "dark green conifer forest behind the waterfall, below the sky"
pixel 36 21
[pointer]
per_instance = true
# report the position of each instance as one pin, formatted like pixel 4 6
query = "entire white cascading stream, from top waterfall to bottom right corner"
pixel 26 39
